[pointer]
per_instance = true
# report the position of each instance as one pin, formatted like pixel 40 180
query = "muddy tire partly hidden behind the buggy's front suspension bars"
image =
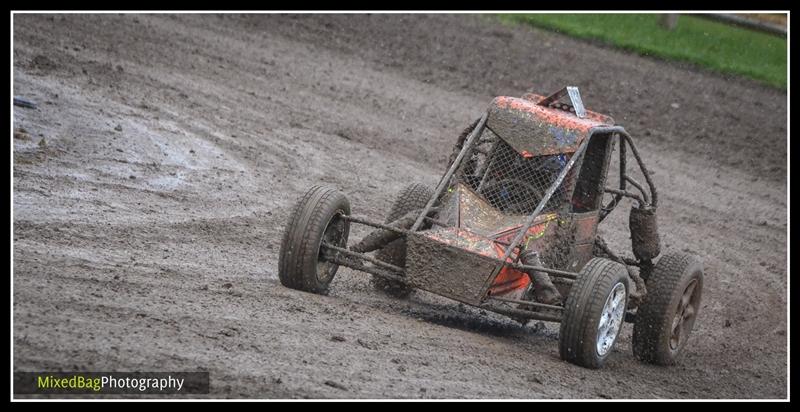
pixel 413 197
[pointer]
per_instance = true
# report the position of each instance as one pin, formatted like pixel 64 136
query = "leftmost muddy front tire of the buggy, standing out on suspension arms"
pixel 314 219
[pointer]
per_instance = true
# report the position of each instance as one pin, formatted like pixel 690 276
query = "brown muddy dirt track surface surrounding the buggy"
pixel 154 247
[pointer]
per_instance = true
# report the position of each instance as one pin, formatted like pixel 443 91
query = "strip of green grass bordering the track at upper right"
pixel 717 46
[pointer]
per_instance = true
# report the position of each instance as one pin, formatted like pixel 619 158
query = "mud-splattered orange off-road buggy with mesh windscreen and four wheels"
pixel 511 227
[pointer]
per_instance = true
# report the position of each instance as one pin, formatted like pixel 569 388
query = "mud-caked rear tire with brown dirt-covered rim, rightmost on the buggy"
pixel 654 331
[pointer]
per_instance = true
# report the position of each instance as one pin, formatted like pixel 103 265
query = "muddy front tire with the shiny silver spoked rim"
pixel 580 325
